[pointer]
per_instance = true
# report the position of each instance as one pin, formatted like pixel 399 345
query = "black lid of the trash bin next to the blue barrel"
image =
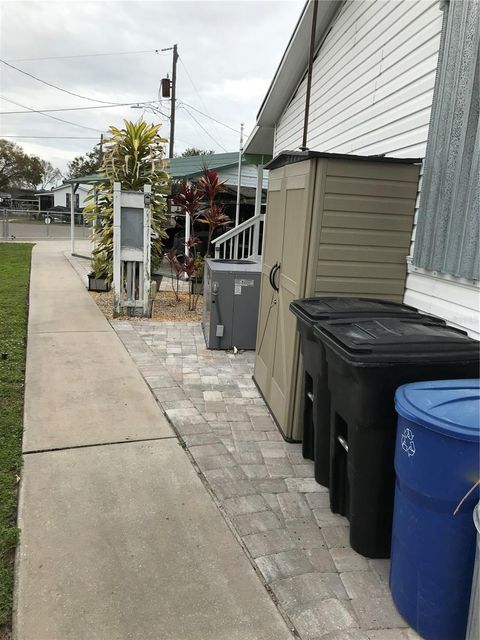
pixel 390 340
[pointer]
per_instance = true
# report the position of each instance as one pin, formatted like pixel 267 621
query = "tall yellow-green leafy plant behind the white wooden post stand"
pixel 133 156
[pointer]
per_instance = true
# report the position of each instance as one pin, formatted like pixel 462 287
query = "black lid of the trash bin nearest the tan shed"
pixel 324 308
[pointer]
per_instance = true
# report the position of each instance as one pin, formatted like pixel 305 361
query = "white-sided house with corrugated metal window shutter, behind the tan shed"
pixel 372 88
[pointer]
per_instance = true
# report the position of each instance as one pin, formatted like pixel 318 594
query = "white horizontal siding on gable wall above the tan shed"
pixel 372 82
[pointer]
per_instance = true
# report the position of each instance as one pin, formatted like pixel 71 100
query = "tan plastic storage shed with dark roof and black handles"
pixel 335 225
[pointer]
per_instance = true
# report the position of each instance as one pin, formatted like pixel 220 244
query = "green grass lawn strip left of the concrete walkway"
pixel 14 281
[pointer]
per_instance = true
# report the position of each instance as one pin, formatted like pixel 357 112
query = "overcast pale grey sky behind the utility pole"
pixel 229 51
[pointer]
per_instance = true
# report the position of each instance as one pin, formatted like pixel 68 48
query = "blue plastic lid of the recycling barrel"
pixel 451 407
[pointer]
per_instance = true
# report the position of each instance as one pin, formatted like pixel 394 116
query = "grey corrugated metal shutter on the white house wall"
pixel 448 221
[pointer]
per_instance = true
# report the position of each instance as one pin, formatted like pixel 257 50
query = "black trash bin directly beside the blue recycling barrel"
pixel 367 360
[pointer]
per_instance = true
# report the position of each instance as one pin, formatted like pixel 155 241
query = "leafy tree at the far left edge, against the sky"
pixel 17 168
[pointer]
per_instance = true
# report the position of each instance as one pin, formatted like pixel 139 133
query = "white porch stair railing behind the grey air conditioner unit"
pixel 242 242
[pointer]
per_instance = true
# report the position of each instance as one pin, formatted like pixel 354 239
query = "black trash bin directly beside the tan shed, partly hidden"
pixel 316 396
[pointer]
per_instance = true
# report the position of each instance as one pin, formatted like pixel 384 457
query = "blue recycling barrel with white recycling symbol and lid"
pixel 436 464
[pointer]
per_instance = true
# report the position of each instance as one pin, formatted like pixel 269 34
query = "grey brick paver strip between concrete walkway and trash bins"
pixel 264 486
